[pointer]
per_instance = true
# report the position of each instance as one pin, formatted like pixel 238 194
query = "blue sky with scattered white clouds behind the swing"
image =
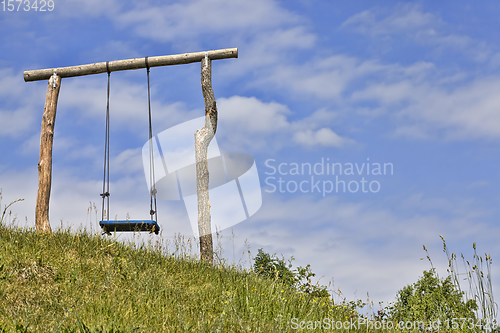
pixel 411 84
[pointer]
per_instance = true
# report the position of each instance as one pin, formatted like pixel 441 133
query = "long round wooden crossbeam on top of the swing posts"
pixel 123 65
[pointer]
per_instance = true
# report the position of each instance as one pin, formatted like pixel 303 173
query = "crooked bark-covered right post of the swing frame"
pixel 203 137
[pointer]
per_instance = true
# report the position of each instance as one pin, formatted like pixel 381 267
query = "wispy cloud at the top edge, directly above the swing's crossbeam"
pixel 195 18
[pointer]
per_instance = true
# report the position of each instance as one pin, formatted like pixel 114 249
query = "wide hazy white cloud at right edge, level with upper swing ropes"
pixel 423 109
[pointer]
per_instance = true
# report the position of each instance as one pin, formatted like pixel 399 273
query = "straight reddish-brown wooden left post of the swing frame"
pixel 42 222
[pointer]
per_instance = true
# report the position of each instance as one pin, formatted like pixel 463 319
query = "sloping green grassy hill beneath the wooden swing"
pixel 67 282
